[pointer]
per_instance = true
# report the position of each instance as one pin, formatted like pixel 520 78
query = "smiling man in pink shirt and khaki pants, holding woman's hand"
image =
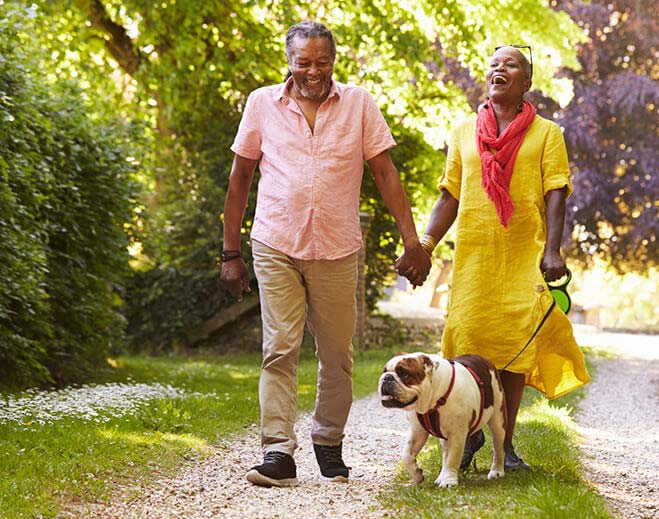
pixel 310 137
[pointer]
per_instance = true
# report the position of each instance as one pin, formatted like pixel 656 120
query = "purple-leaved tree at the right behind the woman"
pixel 611 132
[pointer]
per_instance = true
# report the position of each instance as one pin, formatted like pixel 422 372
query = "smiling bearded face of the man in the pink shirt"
pixel 311 63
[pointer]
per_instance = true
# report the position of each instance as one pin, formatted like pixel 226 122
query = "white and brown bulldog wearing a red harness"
pixel 450 399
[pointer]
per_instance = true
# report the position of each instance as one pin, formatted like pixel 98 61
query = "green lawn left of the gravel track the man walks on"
pixel 69 458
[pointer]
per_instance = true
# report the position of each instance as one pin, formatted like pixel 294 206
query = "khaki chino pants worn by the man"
pixel 322 292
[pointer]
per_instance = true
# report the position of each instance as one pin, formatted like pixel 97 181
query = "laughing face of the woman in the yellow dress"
pixel 507 76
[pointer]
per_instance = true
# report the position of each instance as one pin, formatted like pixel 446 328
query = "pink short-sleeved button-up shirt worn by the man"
pixel 308 196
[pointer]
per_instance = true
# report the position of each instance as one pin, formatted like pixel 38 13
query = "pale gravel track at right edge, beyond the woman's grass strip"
pixel 619 424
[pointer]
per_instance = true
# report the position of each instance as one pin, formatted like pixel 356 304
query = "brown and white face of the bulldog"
pixel 404 379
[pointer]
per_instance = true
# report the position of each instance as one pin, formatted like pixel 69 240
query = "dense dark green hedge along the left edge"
pixel 65 194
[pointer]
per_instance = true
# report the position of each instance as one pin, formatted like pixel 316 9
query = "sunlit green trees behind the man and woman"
pixel 188 68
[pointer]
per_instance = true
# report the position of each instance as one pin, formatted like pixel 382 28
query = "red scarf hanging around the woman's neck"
pixel 497 168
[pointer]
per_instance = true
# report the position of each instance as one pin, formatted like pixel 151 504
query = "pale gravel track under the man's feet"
pixel 217 487
